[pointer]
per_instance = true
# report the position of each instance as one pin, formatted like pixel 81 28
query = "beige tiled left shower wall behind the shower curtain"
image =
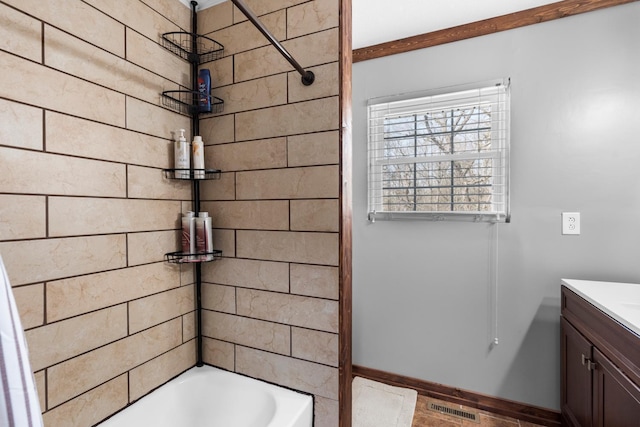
pixel 85 214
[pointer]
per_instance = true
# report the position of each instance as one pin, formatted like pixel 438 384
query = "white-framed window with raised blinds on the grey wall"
pixel 441 155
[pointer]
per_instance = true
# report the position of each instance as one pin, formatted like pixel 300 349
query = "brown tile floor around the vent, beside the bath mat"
pixel 424 417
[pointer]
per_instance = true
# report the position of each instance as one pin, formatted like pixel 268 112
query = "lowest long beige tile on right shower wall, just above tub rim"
pixel 293 373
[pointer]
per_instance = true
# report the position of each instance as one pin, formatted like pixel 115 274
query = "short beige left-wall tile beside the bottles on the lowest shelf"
pixel 151 246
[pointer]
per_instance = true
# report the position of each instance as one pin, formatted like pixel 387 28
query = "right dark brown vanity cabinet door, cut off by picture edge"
pixel 616 399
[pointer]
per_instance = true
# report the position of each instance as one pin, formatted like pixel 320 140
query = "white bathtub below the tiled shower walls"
pixel 211 397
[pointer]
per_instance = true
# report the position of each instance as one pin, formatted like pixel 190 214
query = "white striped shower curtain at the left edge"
pixel 19 405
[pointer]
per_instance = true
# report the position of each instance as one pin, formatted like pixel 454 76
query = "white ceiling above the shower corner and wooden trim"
pixel 379 21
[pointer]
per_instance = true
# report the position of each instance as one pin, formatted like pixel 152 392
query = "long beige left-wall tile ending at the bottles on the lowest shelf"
pixel 109 215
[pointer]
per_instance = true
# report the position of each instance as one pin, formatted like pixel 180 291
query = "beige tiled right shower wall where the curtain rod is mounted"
pixel 271 304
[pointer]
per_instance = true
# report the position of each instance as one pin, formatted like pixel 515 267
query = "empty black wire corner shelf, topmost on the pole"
pixel 182 44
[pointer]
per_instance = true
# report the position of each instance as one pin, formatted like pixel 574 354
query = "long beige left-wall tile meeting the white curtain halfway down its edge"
pixel 59 341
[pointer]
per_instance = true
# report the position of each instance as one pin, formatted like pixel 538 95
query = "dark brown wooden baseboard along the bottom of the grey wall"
pixel 520 411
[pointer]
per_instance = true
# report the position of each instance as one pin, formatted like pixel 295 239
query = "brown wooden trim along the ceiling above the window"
pixel 536 15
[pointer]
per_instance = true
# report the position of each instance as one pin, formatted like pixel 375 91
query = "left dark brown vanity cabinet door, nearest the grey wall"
pixel 576 380
